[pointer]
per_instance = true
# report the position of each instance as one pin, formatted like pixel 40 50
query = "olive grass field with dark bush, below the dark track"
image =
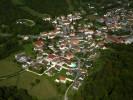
pixel 38 86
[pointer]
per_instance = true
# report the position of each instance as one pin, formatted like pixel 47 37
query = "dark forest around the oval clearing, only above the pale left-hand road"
pixel 12 14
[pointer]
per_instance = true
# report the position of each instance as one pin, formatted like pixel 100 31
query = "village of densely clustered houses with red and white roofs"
pixel 67 52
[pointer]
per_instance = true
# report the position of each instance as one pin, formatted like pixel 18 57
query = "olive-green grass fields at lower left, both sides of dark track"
pixel 44 90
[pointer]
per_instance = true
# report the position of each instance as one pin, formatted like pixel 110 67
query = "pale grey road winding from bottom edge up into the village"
pixel 66 96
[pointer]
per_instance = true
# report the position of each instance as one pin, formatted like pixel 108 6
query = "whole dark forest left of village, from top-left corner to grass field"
pixel 10 29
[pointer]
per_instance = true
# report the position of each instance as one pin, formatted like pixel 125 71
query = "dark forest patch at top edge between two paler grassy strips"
pixel 48 6
